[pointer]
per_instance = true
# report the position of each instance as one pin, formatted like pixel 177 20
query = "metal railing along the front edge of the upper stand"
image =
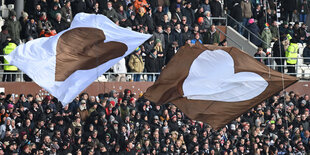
pixel 302 71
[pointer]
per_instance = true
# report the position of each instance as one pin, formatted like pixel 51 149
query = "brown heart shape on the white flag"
pixel 91 52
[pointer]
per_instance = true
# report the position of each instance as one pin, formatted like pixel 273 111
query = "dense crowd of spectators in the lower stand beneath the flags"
pixel 123 123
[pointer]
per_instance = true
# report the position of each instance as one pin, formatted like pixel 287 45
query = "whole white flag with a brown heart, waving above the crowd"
pixel 65 64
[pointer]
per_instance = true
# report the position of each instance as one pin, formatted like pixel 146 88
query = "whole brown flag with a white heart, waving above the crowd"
pixel 215 84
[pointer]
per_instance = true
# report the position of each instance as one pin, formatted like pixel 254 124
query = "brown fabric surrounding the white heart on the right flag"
pixel 168 87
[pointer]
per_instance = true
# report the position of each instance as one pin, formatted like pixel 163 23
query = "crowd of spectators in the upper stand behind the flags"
pixel 172 23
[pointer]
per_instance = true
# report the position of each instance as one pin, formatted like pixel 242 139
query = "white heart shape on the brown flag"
pixel 212 77
